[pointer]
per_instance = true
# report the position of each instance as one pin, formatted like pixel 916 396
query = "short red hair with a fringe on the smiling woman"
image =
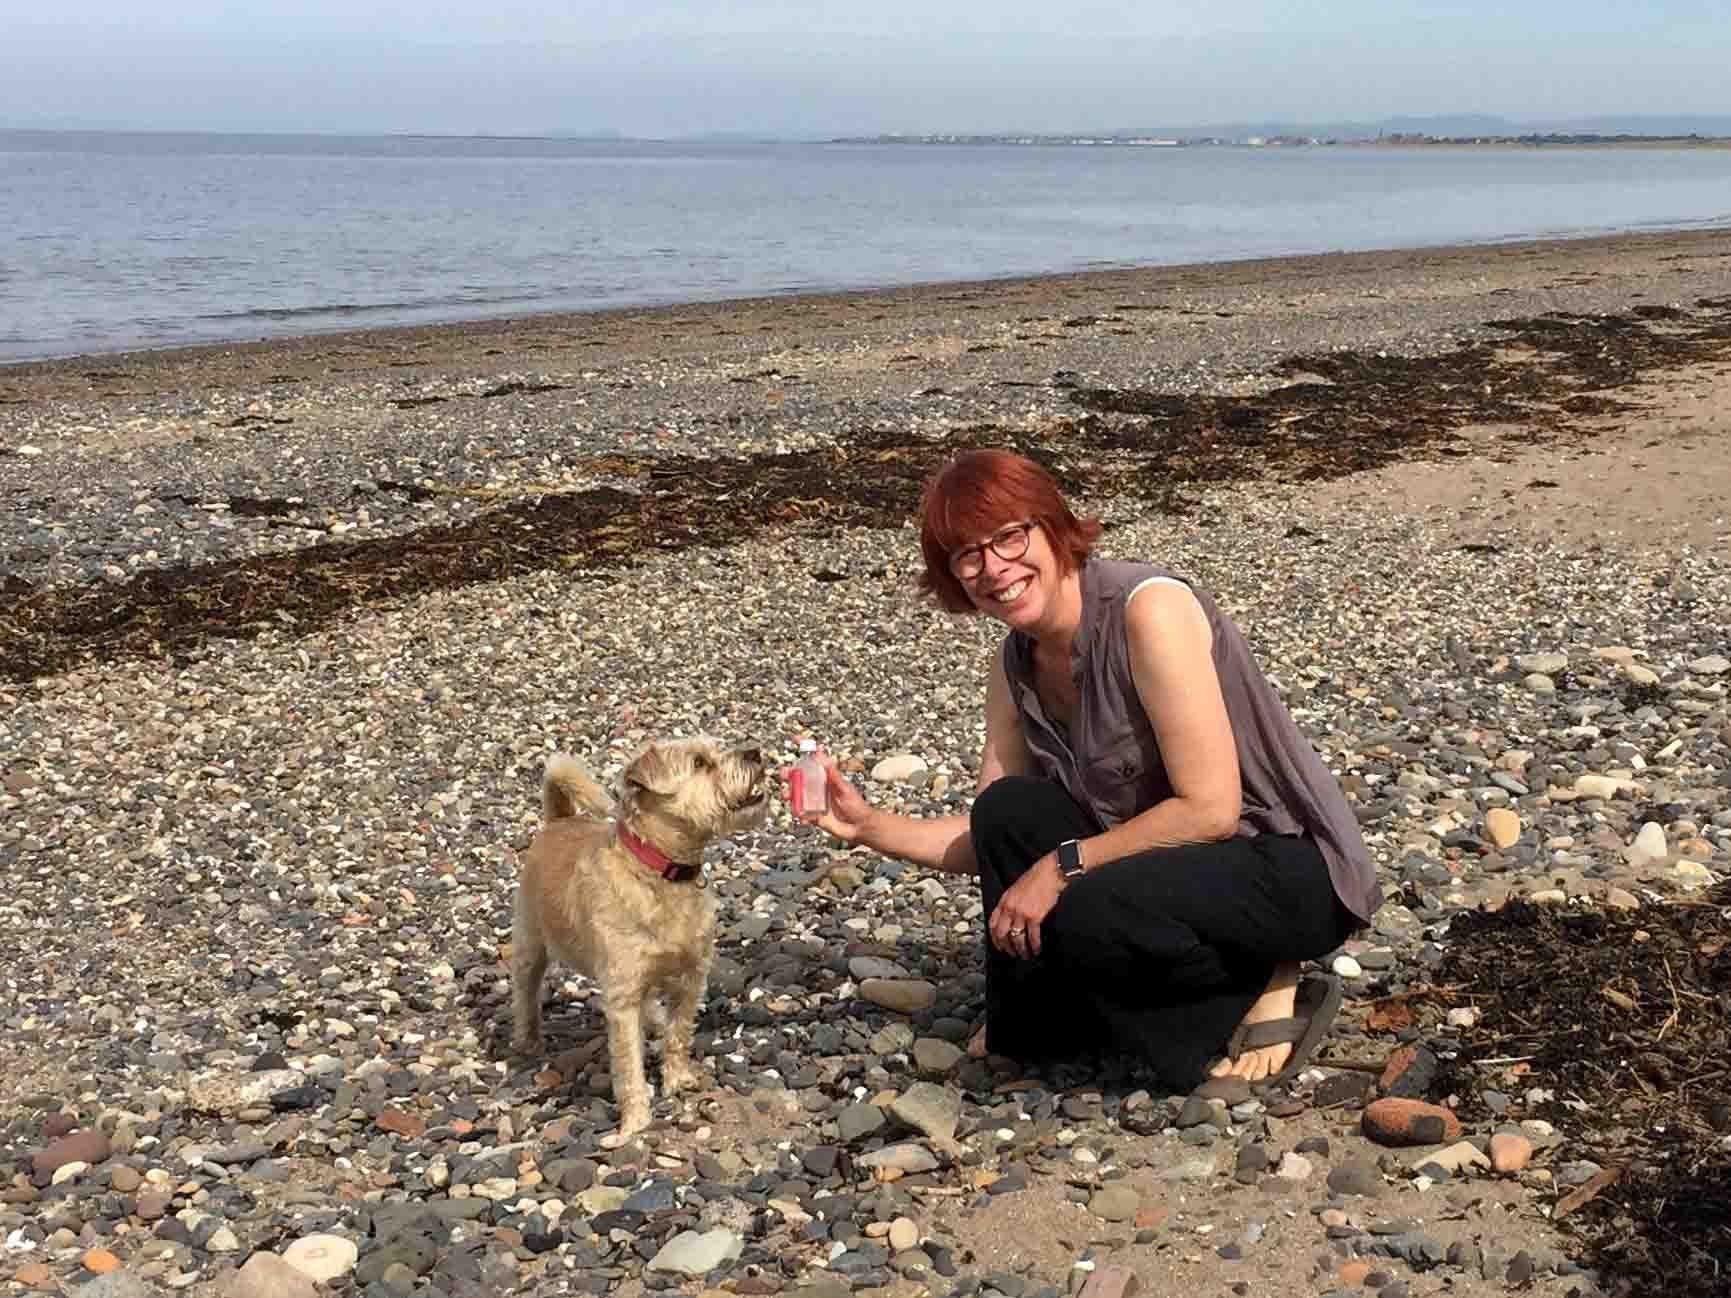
pixel 981 492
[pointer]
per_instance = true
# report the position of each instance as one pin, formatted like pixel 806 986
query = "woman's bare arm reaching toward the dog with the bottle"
pixel 943 844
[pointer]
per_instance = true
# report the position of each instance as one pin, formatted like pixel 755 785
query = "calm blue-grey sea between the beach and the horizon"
pixel 139 241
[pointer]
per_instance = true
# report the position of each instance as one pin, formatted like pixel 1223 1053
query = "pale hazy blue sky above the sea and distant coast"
pixel 814 68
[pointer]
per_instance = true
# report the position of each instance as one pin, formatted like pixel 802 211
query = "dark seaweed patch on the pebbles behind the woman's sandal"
pixel 1626 1018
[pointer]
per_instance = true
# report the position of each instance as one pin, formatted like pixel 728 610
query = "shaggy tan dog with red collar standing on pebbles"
pixel 615 889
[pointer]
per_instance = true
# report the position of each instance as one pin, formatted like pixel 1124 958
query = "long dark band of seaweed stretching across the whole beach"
pixel 1344 413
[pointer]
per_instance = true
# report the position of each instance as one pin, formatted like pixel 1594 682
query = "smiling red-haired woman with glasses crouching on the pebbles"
pixel 1157 844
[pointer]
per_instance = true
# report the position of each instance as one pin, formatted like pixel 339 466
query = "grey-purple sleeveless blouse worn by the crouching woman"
pixel 1112 766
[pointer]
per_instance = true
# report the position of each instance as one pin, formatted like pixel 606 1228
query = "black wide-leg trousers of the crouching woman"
pixel 1159 954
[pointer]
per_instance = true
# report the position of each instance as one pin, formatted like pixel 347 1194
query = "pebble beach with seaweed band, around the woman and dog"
pixel 290 629
